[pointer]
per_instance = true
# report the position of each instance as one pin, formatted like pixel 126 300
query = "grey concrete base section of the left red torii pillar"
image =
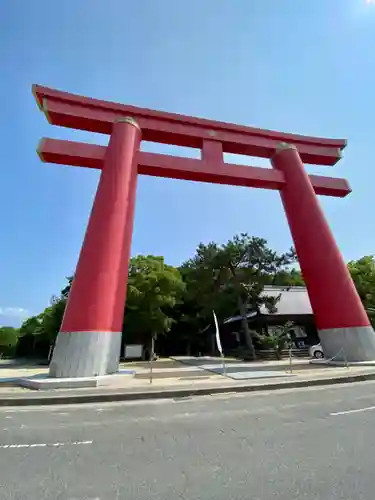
pixel 85 354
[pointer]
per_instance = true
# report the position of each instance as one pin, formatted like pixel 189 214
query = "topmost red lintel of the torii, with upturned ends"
pixel 78 112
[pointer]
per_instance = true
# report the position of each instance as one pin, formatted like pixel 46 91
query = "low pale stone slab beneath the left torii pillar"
pixel 45 383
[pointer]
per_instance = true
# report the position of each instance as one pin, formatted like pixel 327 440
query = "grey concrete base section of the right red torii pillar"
pixel 348 344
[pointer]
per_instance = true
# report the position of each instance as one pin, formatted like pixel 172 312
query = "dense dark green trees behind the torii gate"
pixel 176 304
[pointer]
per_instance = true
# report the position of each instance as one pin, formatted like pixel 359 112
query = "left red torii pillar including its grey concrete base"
pixel 96 302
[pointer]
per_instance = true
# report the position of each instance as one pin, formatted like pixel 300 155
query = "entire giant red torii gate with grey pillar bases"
pixel 90 337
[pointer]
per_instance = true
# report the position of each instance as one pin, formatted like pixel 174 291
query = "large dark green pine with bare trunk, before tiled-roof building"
pixel 235 274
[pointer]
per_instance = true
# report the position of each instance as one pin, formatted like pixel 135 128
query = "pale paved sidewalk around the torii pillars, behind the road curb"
pixel 189 375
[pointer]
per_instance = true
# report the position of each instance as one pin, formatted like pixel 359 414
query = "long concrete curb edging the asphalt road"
pixel 105 397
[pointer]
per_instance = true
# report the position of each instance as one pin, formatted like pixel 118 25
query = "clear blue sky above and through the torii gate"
pixel 297 66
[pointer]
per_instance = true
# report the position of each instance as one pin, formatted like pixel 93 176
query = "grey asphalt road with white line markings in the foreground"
pixel 292 444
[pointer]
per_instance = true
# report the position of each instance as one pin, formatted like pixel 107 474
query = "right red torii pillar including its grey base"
pixel 332 293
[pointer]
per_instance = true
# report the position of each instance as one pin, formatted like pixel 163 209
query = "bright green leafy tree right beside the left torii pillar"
pixel 154 289
